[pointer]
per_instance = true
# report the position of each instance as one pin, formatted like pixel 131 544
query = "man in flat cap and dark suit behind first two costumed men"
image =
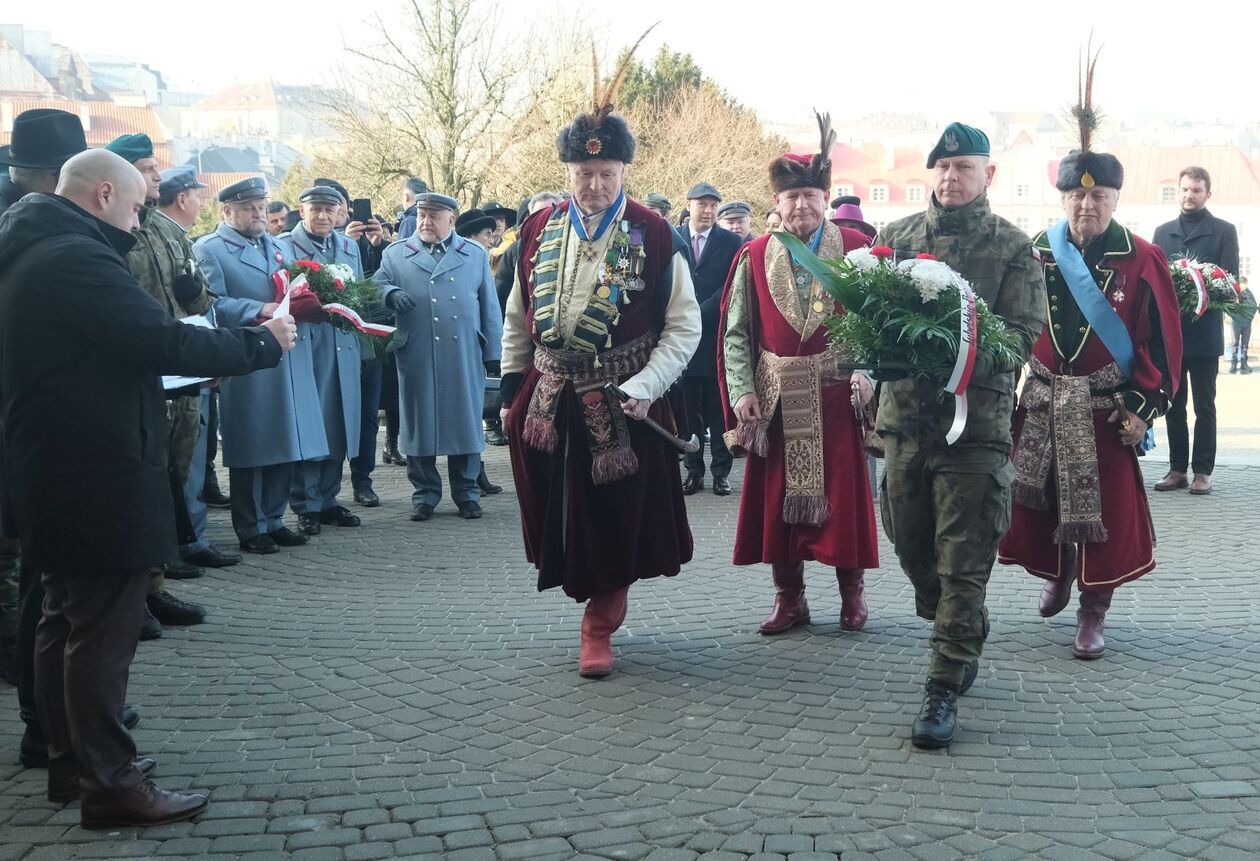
pixel 711 251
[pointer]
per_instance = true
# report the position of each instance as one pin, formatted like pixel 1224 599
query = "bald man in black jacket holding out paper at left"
pixel 88 351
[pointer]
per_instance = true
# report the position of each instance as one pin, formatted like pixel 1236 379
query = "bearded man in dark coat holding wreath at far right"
pixel 1201 236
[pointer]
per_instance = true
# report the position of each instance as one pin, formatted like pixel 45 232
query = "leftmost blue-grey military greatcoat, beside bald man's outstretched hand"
pixel 269 417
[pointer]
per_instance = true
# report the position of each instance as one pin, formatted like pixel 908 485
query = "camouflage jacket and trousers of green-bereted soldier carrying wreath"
pixel 946 507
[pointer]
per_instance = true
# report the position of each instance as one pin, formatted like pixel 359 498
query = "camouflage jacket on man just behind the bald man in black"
pixel 162 255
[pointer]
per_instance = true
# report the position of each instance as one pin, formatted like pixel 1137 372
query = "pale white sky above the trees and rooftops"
pixel 1199 60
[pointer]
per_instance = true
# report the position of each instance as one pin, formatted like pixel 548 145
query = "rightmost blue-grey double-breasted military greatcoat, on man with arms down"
pixel 443 344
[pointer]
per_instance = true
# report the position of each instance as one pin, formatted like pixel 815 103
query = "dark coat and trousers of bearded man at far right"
pixel 1211 240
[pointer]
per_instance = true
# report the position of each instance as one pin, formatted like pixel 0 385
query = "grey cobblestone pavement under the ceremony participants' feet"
pixel 403 691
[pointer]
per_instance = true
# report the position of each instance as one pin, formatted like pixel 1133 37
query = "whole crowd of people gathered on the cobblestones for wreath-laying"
pixel 593 336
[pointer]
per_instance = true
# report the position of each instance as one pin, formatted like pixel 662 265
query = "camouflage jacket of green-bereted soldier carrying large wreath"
pixel 997 259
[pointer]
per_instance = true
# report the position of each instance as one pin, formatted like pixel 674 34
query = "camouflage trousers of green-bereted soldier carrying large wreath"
pixel 944 509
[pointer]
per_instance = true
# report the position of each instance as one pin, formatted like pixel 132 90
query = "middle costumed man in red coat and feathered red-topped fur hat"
pixel 806 490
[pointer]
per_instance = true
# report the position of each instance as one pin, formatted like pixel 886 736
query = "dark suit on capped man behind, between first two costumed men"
pixel 700 380
